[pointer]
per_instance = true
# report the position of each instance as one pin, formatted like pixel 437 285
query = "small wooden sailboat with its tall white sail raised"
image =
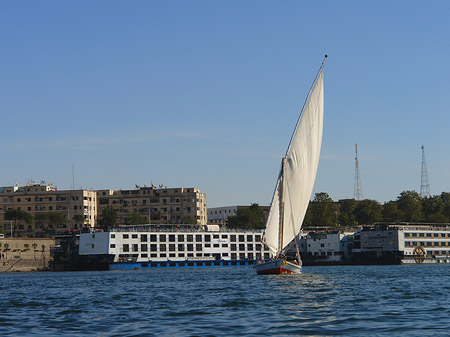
pixel 294 184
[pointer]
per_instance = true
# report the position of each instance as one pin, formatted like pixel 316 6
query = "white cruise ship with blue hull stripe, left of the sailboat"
pixel 152 246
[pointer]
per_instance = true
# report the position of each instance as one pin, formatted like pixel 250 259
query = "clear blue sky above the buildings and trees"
pixel 206 94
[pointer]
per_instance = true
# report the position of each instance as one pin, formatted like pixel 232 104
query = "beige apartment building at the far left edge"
pixel 44 198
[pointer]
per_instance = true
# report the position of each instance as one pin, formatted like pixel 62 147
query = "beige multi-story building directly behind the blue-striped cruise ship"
pixel 163 205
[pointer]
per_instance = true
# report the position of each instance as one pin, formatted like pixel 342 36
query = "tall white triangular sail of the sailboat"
pixel 302 160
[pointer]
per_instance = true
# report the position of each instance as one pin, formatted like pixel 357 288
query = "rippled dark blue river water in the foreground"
pixel 322 301
